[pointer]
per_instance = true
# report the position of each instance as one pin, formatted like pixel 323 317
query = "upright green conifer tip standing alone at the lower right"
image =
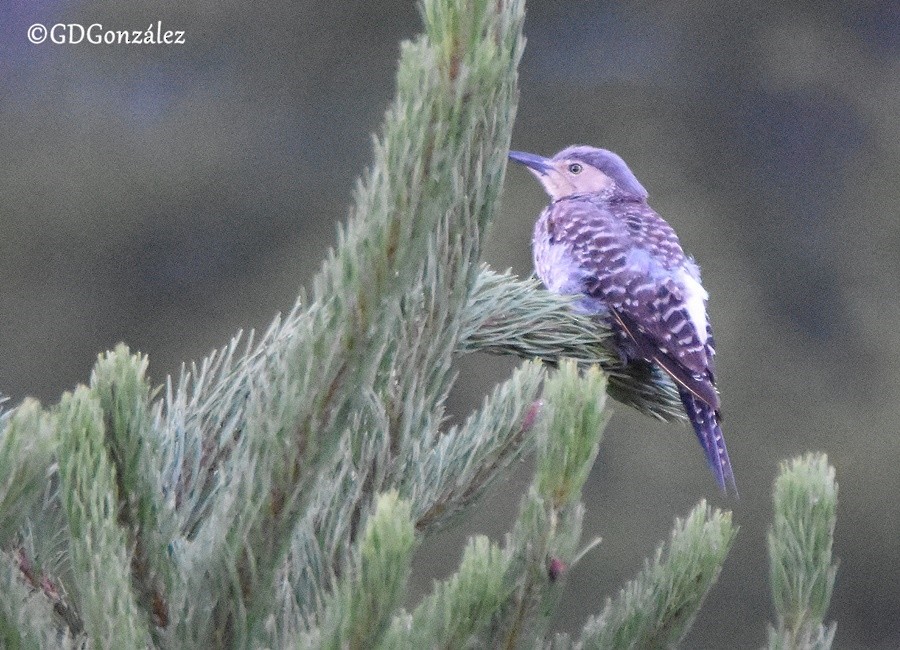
pixel 800 541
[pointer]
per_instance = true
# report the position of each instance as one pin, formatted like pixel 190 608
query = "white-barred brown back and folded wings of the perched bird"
pixel 636 267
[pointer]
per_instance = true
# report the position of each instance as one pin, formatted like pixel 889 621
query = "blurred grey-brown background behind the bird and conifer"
pixel 169 196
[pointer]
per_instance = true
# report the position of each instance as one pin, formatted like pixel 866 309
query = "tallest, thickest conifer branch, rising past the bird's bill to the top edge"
pixel 373 350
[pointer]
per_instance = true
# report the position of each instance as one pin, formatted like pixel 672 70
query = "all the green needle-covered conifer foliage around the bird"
pixel 273 495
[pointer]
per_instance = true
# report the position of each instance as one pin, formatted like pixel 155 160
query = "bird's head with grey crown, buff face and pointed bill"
pixel 580 170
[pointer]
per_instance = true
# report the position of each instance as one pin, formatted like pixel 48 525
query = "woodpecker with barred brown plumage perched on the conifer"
pixel 599 240
